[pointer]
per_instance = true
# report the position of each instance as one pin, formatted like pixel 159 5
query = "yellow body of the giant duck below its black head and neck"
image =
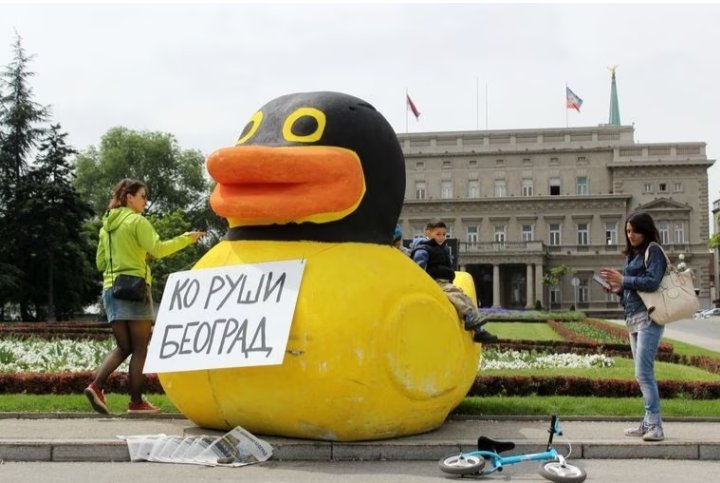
pixel 375 350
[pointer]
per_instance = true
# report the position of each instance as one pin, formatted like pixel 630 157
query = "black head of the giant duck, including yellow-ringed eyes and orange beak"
pixel 320 166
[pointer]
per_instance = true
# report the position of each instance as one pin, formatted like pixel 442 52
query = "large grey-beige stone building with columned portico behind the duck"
pixel 521 202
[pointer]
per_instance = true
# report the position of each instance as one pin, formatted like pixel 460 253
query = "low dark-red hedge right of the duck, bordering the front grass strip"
pixel 579 386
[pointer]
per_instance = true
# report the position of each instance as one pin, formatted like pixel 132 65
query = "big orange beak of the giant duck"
pixel 261 185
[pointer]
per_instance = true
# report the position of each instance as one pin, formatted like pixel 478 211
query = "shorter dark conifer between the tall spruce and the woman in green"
pixel 58 276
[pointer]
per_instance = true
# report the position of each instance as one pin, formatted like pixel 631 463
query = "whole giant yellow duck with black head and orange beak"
pixel 375 348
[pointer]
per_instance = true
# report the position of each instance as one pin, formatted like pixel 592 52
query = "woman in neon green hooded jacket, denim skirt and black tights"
pixel 127 239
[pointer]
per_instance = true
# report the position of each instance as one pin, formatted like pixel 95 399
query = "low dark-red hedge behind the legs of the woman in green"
pixel 68 383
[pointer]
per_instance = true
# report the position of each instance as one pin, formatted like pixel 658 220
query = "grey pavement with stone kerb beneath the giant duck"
pixel 94 438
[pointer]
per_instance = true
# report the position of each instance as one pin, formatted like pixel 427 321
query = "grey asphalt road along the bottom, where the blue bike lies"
pixel 615 471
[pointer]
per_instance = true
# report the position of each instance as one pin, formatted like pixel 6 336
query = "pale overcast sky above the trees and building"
pixel 200 71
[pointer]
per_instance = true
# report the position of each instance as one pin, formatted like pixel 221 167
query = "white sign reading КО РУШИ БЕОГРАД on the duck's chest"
pixel 229 316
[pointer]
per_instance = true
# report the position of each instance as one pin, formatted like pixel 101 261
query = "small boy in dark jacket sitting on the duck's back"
pixel 432 255
